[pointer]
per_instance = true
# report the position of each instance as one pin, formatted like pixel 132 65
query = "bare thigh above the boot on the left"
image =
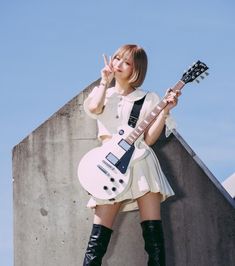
pixel 106 214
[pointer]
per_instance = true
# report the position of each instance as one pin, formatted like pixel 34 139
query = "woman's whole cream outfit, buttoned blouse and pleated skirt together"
pixel 146 173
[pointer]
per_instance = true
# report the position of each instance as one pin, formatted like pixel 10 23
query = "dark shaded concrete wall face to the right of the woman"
pixel 199 221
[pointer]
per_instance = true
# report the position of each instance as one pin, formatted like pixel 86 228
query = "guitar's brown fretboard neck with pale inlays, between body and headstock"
pixel 144 124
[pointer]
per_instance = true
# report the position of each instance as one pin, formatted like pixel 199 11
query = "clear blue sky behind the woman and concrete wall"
pixel 51 50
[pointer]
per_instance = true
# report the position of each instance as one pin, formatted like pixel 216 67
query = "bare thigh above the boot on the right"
pixel 149 206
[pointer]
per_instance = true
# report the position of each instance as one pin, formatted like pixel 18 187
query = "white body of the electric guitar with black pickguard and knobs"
pixel 104 171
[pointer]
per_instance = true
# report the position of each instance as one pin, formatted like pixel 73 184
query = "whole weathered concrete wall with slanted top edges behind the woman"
pixel 52 224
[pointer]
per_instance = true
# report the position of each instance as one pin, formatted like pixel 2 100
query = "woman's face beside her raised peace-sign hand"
pixel 123 66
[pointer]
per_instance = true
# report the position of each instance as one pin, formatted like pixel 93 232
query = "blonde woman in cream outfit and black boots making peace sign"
pixel 111 107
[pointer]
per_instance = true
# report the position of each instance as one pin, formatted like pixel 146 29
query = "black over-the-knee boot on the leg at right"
pixel 154 242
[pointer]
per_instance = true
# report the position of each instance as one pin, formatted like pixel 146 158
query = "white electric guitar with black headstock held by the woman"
pixel 104 172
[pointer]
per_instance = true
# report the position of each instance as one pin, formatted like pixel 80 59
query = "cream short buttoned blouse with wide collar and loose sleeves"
pixel 118 108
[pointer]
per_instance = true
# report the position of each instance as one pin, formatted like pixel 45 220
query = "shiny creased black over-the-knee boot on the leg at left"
pixel 97 245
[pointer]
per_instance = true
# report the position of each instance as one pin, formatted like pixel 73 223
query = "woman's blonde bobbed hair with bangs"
pixel 140 62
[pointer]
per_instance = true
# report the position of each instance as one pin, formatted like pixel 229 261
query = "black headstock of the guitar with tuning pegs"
pixel 195 71
